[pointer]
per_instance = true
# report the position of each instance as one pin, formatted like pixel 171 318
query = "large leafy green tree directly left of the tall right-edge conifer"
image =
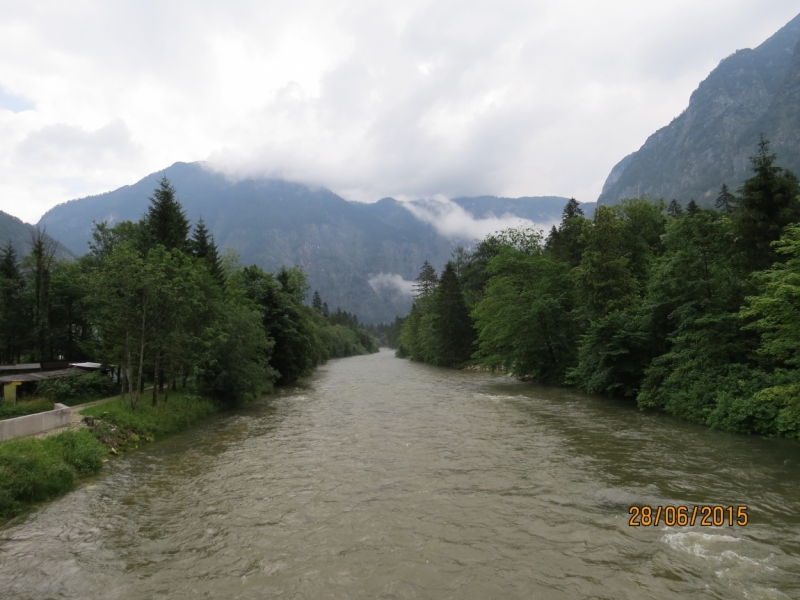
pixel 695 294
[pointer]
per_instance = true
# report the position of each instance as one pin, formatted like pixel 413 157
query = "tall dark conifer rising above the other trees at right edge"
pixel 767 203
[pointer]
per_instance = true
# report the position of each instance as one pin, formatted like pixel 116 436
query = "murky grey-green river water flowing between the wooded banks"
pixel 382 478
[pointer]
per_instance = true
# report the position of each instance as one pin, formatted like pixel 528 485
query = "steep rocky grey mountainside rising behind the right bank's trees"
pixel 751 92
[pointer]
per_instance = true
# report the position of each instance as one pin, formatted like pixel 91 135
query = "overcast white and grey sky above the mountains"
pixel 413 99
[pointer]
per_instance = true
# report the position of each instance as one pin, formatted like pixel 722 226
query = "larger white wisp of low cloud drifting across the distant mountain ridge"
pixel 456 223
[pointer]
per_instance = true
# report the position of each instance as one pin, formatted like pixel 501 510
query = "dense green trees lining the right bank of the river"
pixel 695 312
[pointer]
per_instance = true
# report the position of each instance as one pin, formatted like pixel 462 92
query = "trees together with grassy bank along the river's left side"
pixel 155 300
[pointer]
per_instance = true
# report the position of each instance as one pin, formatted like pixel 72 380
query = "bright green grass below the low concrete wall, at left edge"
pixel 34 470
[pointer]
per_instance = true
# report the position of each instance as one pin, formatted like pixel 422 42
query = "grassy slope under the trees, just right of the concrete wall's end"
pixel 120 427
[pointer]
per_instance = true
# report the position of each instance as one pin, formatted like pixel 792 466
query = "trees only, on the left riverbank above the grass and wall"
pixel 155 301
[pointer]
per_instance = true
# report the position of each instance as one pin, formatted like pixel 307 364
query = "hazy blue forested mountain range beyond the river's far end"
pixel 343 246
